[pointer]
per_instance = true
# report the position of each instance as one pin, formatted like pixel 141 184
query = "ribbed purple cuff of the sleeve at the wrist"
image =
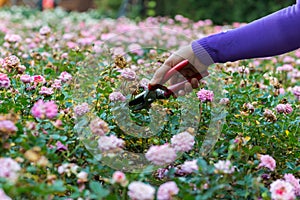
pixel 201 50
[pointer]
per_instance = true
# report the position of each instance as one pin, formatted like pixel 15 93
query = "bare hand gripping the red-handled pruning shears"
pixel 194 67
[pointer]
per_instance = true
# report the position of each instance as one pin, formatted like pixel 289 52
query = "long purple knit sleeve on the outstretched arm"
pixel 269 36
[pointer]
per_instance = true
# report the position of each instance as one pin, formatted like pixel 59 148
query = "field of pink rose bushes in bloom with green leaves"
pixel 57 68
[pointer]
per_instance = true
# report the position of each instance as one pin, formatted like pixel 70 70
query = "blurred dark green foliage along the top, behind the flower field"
pixel 220 12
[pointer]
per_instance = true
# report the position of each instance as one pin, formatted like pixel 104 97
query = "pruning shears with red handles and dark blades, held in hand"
pixel 154 92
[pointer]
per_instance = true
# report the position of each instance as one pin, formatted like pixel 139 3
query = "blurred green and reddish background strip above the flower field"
pixel 220 12
